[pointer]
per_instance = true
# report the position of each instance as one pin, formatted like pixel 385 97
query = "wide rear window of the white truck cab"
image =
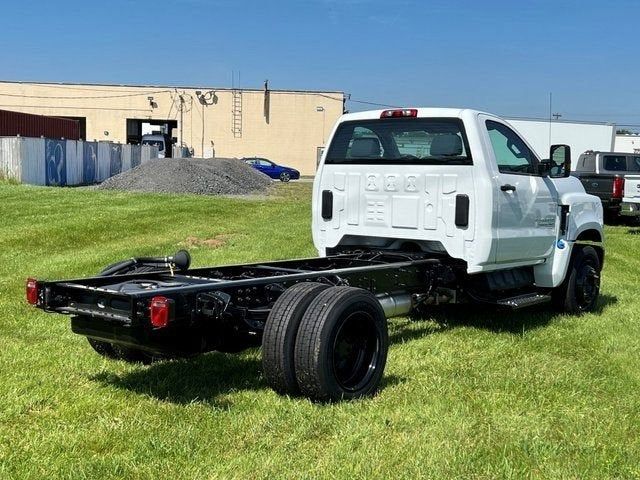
pixel 400 141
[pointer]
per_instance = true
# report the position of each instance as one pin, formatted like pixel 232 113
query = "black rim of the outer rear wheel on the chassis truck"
pixel 356 351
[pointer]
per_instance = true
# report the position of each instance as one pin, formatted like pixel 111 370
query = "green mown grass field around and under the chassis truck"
pixel 466 394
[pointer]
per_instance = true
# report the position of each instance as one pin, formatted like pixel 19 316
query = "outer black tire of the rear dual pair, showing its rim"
pixel 341 346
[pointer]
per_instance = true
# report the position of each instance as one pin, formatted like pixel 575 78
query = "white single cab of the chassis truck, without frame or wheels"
pixel 457 183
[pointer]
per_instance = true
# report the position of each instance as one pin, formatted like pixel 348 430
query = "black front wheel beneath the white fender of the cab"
pixel 579 292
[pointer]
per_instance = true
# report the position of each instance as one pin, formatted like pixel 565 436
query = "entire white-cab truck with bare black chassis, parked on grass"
pixel 411 208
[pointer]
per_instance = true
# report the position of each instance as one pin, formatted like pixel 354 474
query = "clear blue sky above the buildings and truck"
pixel 500 56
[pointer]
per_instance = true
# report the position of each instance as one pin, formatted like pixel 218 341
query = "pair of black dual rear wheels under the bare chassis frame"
pixel 326 343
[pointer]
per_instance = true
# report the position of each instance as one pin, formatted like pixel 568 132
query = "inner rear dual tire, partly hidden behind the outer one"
pixel 279 336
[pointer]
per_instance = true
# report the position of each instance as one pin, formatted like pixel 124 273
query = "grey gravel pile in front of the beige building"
pixel 217 176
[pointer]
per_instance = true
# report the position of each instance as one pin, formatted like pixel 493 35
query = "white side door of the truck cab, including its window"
pixel 526 206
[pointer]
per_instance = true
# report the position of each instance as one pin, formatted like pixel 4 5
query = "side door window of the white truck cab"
pixel 512 154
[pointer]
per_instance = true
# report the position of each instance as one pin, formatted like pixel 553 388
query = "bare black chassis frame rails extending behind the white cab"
pixel 225 308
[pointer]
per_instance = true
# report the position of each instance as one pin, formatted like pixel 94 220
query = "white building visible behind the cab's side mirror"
pixel 579 136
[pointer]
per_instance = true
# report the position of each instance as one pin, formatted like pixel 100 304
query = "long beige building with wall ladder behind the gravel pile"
pixel 288 127
